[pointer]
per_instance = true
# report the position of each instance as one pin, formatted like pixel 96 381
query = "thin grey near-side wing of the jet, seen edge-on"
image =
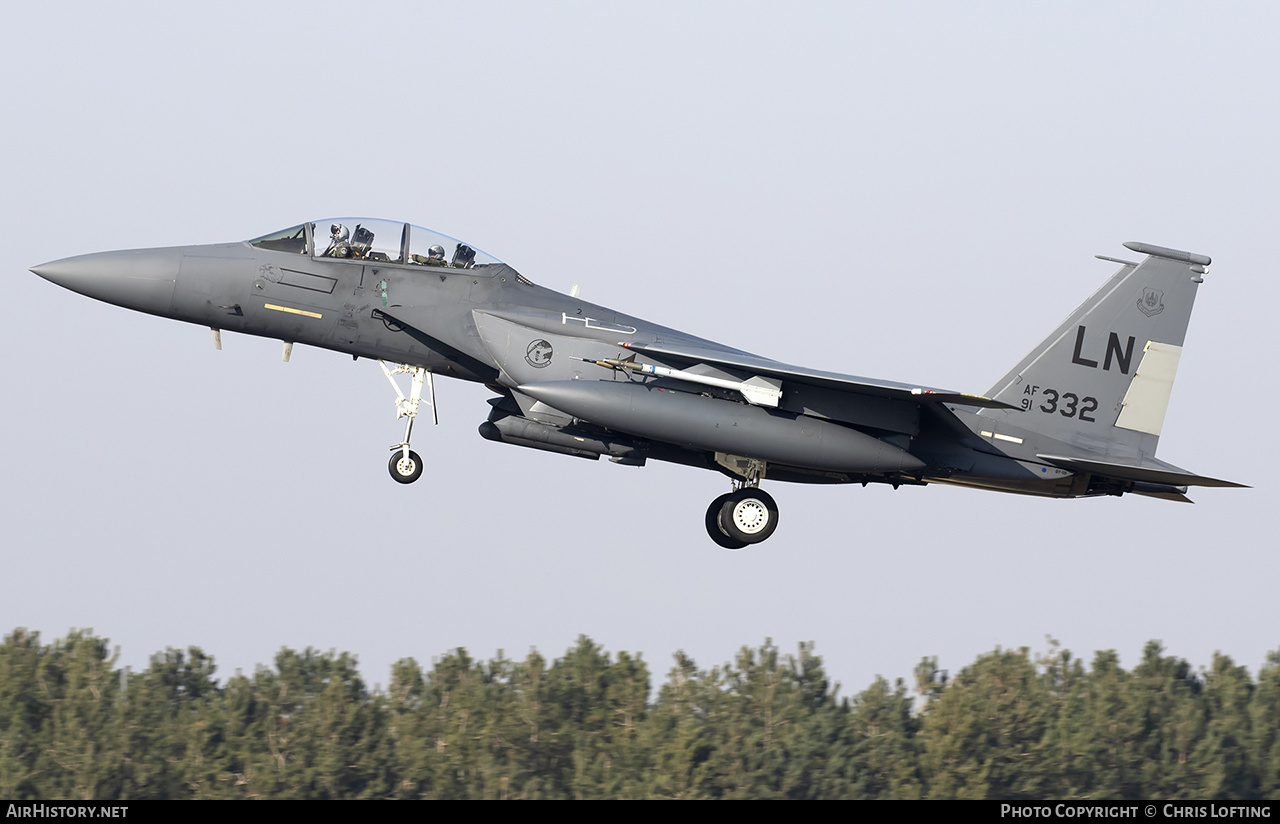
pixel 766 368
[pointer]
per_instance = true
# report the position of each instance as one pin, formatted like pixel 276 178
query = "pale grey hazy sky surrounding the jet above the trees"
pixel 911 193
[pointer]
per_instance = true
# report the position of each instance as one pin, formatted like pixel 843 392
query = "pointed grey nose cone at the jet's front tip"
pixel 138 280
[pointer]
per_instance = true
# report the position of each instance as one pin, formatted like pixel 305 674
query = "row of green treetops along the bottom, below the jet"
pixel 766 726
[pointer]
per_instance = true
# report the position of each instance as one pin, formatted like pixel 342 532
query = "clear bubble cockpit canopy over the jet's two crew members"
pixel 372 240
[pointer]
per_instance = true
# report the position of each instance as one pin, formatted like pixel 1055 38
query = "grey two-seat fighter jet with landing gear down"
pixel 1080 416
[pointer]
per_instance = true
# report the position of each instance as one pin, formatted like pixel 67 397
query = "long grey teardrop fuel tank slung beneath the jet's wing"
pixel 715 425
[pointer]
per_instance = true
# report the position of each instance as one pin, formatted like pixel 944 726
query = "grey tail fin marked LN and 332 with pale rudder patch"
pixel 1103 379
